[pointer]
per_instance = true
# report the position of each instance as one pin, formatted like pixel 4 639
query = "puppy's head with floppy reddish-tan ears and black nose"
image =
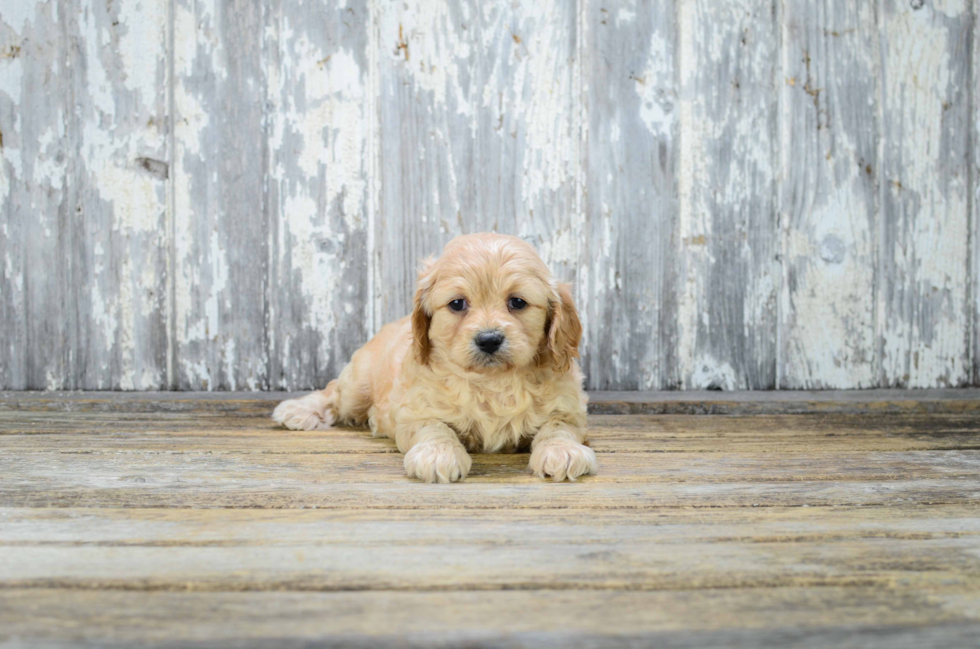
pixel 488 304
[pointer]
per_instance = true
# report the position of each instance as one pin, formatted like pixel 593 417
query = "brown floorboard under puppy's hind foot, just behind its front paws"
pixel 47 431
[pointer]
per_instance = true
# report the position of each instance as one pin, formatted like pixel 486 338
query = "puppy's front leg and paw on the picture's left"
pixel 433 453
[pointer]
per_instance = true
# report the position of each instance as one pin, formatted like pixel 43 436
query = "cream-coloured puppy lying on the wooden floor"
pixel 486 363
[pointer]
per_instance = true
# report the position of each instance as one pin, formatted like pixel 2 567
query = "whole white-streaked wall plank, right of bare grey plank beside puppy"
pixel 727 275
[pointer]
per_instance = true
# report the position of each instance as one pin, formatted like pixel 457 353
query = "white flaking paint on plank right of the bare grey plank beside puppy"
pixel 713 35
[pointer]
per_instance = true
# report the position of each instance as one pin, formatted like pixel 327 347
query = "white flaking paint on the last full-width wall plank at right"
pixel 931 256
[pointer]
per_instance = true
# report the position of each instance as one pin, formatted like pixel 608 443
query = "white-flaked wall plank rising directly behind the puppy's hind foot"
pixel 319 189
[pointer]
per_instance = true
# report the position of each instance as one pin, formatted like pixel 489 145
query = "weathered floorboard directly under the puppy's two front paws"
pixel 175 466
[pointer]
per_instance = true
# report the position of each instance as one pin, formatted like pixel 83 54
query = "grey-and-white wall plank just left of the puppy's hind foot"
pixel 221 241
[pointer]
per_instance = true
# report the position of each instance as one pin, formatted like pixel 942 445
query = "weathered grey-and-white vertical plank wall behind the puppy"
pixel 230 194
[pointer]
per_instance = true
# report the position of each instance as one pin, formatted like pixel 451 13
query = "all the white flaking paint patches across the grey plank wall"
pixel 470 64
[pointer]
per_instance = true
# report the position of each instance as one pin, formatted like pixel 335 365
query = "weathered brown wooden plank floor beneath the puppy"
pixel 795 519
